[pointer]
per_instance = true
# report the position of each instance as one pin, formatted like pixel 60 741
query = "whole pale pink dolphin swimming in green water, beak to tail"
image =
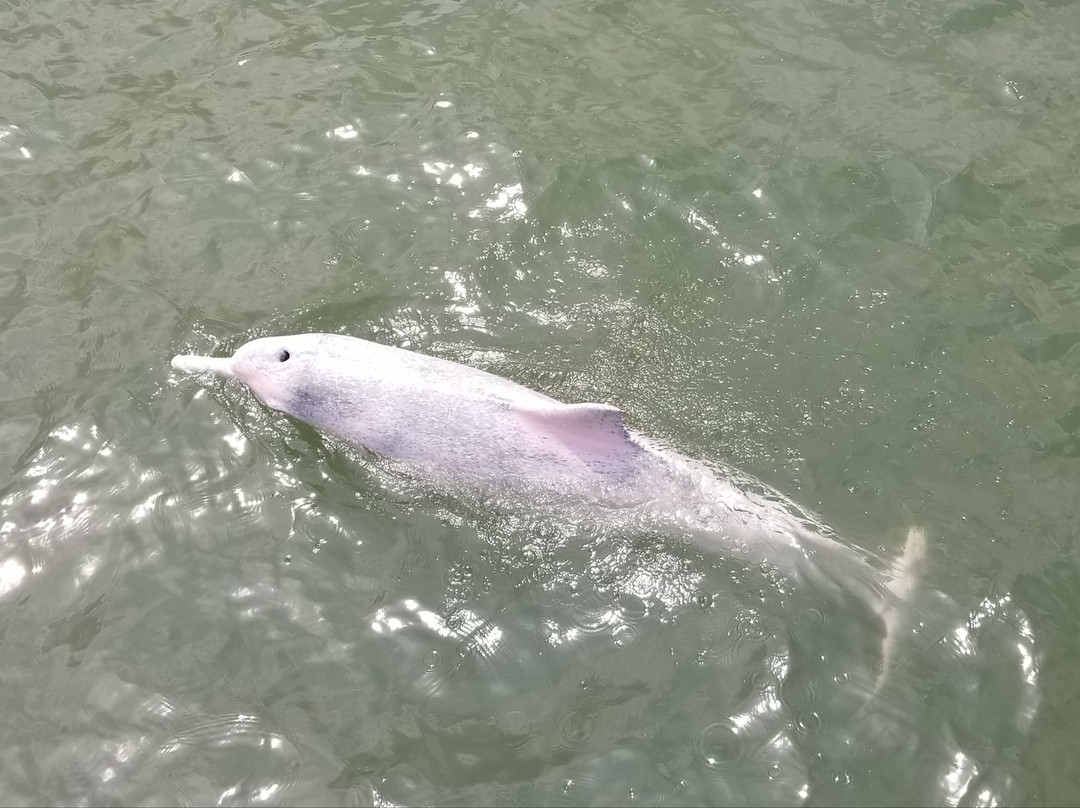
pixel 449 422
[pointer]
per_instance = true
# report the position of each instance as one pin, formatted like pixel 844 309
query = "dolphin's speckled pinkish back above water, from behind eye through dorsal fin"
pixel 443 415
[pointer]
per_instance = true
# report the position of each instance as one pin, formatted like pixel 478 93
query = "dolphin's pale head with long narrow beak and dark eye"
pixel 273 368
